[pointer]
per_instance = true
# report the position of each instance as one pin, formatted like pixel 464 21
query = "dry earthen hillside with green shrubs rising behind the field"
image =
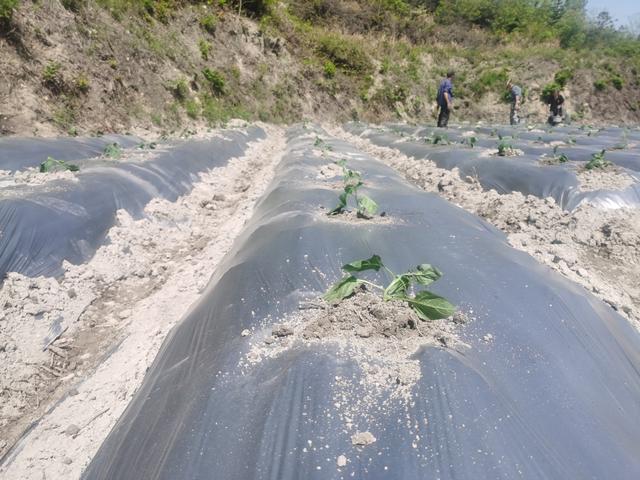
pixel 77 66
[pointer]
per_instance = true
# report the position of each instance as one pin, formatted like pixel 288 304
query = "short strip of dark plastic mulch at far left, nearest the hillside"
pixel 19 153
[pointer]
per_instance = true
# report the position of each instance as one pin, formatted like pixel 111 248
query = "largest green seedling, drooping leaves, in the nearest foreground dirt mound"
pixel 426 304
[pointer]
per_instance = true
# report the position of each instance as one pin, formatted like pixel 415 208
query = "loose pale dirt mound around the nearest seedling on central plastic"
pixel 381 337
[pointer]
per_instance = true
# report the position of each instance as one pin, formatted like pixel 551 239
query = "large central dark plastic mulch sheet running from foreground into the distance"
pixel 555 395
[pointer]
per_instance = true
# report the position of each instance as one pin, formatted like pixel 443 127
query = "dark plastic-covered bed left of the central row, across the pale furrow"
pixel 41 226
